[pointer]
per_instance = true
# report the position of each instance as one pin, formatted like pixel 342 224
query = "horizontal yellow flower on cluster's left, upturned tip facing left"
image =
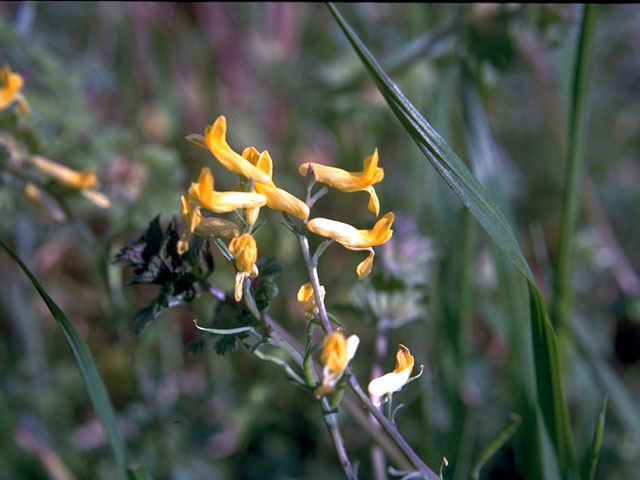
pixel 221 202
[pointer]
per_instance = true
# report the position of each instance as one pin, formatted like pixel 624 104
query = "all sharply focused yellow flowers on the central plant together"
pixel 258 190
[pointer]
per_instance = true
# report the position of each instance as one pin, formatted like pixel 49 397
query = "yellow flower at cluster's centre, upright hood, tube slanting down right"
pixel 277 198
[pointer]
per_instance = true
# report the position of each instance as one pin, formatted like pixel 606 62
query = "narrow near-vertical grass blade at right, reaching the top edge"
pixel 562 283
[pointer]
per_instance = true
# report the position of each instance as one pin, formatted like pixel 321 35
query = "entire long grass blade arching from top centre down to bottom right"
pixel 475 198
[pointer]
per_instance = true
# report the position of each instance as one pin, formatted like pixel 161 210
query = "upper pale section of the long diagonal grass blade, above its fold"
pixel 438 152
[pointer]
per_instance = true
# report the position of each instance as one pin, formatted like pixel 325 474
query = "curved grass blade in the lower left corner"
pixel 95 387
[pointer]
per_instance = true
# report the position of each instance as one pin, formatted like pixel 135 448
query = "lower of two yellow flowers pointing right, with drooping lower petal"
pixel 354 239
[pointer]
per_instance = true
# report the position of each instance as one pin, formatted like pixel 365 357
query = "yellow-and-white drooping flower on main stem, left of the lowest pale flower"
pixel 336 354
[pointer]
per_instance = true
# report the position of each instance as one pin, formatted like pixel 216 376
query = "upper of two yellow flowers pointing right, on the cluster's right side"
pixel 351 181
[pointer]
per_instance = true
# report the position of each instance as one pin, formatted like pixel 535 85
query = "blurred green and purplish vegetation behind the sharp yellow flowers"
pixel 112 96
